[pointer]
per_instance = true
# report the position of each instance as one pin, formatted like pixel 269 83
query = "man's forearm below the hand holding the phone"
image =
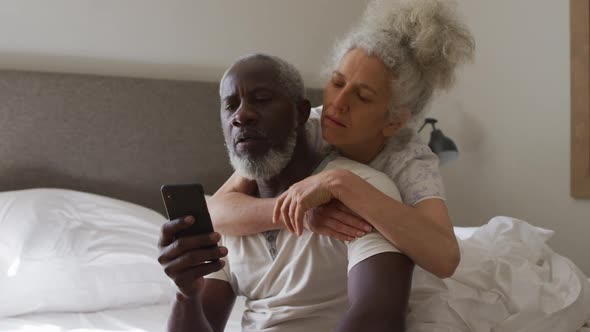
pixel 188 316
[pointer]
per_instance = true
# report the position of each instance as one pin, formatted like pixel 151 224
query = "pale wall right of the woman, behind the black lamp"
pixel 510 116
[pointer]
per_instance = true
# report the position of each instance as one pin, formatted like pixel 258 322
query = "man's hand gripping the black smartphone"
pixel 187 259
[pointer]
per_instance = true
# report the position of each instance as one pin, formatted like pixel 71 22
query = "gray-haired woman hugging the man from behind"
pixel 383 74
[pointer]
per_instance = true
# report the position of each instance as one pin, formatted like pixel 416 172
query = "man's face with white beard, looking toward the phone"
pixel 258 119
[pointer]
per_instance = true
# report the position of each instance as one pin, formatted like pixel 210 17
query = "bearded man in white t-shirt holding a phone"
pixel 291 283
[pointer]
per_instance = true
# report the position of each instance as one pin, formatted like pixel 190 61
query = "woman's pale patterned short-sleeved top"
pixel 411 165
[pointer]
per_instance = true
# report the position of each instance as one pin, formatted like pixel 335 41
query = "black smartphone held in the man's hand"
pixel 187 200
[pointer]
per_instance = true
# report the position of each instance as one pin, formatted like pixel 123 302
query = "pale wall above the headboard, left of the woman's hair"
pixel 180 39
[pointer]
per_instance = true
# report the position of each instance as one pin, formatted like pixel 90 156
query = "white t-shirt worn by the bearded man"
pixel 293 283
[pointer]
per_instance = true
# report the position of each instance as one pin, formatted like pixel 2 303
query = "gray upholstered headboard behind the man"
pixel 120 137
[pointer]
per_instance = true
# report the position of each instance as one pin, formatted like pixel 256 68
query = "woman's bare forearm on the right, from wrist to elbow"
pixel 429 244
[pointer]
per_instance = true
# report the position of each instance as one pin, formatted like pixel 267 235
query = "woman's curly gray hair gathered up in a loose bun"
pixel 420 41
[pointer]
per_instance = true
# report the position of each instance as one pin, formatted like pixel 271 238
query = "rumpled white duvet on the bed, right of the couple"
pixel 508 280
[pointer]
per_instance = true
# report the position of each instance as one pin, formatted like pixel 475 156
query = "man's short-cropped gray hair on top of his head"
pixel 289 76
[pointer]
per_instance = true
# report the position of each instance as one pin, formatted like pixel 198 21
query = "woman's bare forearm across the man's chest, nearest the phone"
pixel 237 214
